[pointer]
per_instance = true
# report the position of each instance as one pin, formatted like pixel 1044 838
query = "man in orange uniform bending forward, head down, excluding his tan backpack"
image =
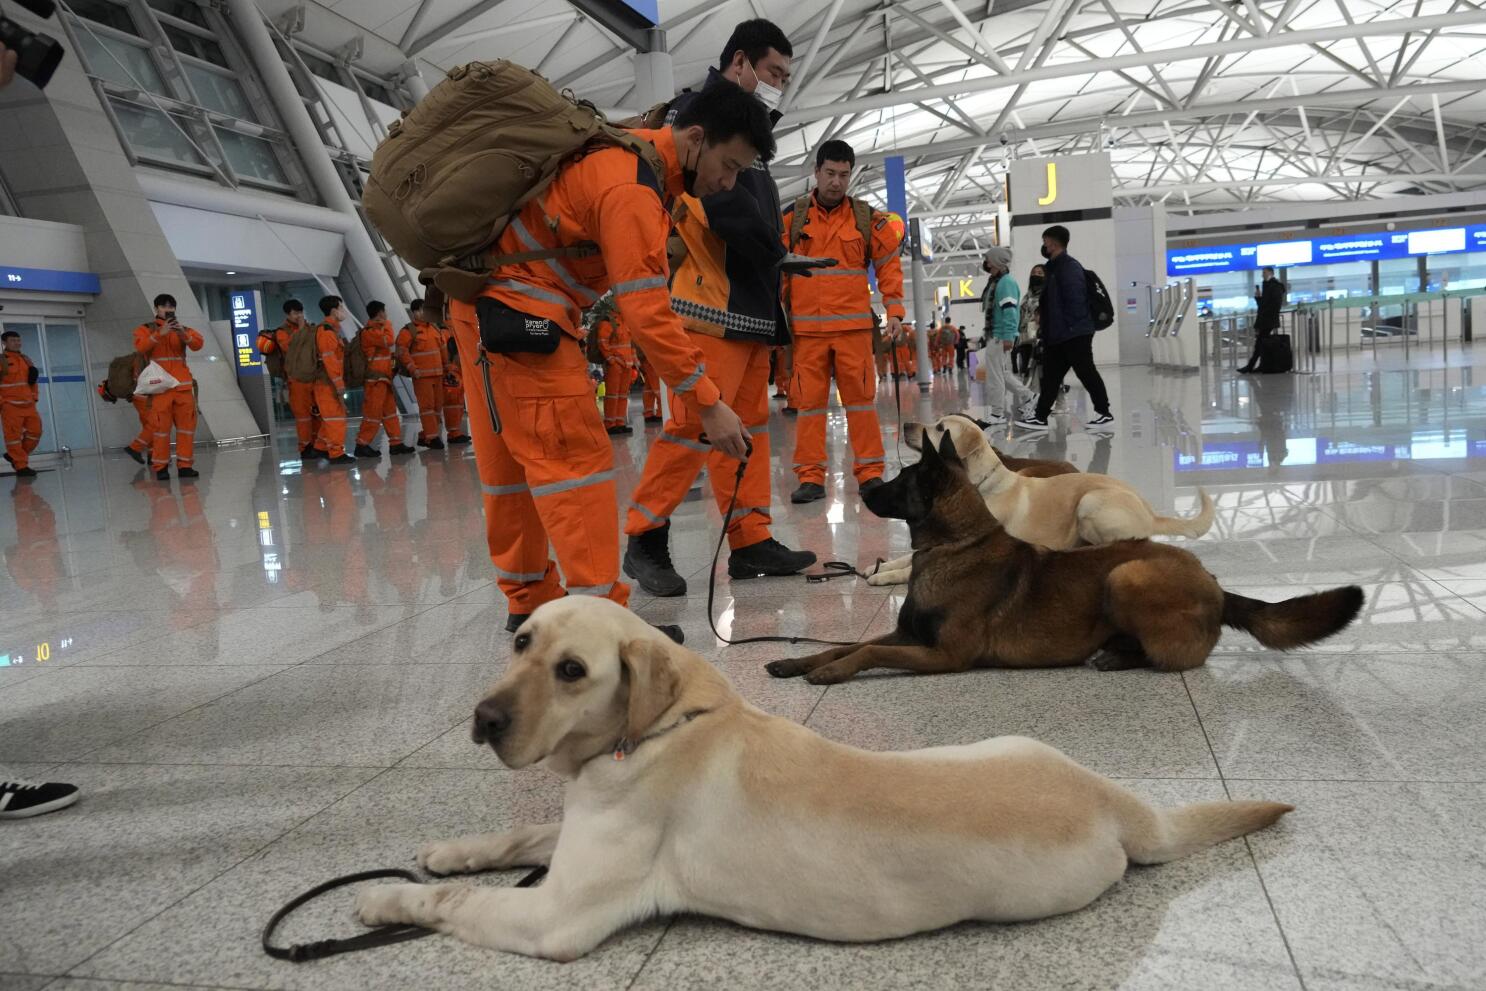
pixel 546 464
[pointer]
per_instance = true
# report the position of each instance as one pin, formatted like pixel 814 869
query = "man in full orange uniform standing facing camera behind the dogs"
pixel 833 319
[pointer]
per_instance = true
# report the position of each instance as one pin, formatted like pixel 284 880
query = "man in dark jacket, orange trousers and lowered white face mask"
pixel 726 292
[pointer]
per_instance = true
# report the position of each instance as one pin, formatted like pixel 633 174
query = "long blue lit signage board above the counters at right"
pixel 1357 247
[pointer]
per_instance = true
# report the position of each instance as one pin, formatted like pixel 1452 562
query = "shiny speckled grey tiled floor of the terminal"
pixel 264 680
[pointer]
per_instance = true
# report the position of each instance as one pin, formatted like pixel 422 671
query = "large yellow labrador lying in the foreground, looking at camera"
pixel 684 799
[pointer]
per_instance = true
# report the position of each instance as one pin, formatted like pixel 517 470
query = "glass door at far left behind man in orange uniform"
pixel 56 347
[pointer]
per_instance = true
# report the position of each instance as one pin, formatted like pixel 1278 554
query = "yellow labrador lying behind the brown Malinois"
pixel 1060 512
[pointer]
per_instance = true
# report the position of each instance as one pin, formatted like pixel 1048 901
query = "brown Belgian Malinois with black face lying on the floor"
pixel 980 598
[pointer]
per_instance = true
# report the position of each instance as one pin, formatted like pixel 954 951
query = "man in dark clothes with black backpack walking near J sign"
pixel 1068 332
